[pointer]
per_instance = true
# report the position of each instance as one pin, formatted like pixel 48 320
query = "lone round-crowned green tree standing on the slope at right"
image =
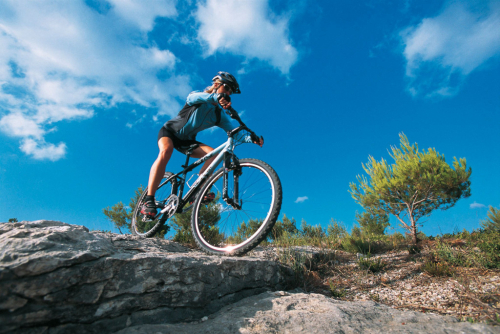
pixel 414 186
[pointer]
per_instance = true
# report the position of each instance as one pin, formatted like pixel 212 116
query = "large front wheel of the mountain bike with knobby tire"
pixel 222 229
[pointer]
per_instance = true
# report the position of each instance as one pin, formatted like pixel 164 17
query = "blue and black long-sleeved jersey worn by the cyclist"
pixel 201 112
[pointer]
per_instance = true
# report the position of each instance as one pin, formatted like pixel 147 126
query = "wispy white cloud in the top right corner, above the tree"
pixel 441 51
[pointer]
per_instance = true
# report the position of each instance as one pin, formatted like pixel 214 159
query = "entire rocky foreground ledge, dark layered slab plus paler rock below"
pixel 60 278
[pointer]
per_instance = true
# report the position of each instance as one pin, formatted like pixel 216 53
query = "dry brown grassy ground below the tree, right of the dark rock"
pixel 403 282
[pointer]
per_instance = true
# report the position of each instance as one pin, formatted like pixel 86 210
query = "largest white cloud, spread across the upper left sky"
pixel 62 59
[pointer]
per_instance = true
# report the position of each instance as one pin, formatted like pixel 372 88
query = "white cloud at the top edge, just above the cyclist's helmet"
pixel 248 29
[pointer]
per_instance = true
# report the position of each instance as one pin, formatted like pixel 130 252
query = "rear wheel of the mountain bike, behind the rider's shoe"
pixel 148 228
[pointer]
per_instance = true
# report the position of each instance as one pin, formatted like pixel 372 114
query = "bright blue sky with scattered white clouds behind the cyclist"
pixel 86 85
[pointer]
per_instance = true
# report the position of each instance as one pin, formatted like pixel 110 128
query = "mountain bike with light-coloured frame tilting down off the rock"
pixel 245 209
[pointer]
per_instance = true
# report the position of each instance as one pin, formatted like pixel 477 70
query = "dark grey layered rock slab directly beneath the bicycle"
pixel 58 277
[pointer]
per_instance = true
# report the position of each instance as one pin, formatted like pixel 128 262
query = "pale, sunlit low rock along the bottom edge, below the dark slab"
pixel 312 313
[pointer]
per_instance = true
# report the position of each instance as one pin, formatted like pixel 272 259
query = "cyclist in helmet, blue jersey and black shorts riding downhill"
pixel 201 111
